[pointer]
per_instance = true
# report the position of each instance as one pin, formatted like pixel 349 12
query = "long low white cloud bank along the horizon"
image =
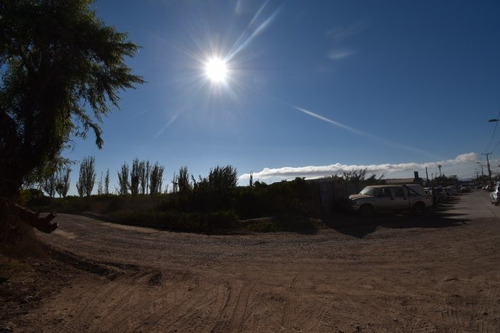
pixel 463 166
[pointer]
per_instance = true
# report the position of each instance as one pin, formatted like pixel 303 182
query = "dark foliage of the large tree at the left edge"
pixel 61 67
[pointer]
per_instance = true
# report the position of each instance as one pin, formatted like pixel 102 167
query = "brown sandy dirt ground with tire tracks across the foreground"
pixel 437 273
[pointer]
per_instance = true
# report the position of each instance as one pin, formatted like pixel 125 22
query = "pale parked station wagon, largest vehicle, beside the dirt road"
pixel 390 198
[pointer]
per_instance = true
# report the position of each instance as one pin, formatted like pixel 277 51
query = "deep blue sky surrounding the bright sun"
pixel 313 88
